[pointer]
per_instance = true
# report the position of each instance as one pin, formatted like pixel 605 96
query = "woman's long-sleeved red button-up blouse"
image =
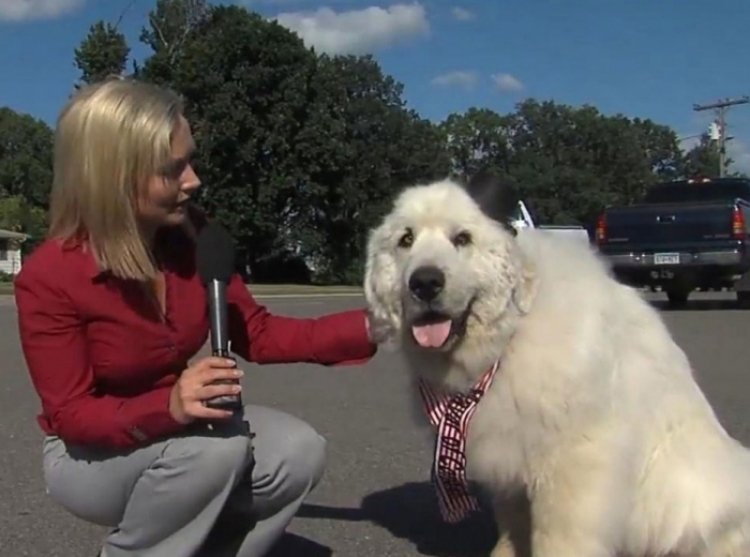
pixel 103 360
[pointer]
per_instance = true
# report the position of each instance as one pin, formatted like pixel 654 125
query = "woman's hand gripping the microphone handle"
pixel 195 386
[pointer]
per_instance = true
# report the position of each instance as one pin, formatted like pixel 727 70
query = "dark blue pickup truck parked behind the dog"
pixel 684 235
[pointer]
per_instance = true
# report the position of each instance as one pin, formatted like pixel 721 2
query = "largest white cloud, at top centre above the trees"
pixel 358 31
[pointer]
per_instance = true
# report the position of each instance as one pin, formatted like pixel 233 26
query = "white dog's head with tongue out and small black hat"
pixel 444 261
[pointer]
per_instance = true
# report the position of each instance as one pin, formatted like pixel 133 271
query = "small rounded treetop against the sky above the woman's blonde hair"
pixel 104 51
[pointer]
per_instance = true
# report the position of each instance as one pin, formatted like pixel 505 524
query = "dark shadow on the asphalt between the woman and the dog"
pixel 410 512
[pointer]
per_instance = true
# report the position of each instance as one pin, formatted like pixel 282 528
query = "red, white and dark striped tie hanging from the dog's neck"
pixel 451 414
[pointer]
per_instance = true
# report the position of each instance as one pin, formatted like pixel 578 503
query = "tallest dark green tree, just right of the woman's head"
pixel 245 82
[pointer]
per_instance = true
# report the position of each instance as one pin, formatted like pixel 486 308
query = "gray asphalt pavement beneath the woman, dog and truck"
pixel 374 499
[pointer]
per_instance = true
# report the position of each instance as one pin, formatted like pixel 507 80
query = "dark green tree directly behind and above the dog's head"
pixel 362 145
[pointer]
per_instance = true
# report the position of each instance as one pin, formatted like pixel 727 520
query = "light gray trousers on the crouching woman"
pixel 192 495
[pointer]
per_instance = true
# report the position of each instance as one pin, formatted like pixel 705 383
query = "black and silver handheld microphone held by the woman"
pixel 215 263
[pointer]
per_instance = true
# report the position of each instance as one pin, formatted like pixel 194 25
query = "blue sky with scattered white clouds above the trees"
pixel 644 58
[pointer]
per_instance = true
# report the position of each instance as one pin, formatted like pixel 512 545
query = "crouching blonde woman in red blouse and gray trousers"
pixel 111 311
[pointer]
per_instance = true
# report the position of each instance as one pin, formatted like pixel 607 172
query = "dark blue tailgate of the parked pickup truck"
pixel 669 225
